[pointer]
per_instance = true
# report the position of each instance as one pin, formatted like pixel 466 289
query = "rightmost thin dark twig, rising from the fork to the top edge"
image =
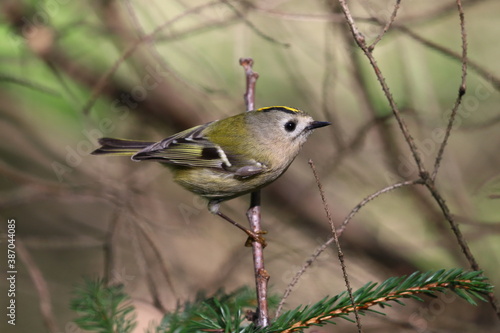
pixel 461 91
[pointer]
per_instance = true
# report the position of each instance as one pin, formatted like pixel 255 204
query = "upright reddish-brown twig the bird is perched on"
pixel 253 213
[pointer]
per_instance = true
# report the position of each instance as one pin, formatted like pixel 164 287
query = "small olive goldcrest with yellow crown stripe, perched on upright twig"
pixel 227 158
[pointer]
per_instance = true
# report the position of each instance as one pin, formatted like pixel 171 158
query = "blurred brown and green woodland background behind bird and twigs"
pixel 73 71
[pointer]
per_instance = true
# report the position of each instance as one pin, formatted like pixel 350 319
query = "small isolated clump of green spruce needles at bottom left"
pixel 103 308
